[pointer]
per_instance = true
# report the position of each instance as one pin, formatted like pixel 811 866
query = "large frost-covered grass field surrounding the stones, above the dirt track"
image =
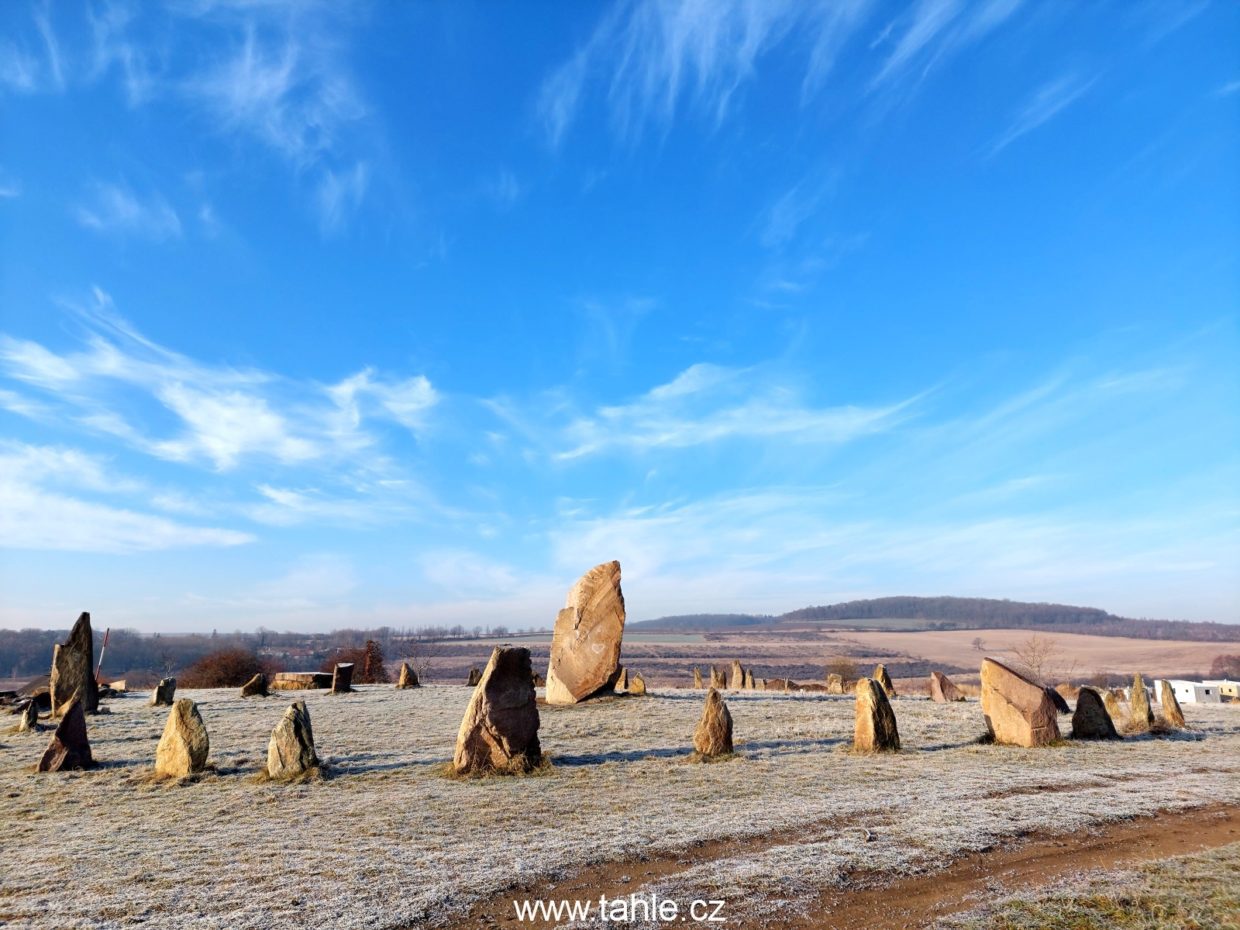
pixel 386 841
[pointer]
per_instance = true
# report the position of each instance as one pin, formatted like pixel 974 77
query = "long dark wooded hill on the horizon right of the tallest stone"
pixel 968 614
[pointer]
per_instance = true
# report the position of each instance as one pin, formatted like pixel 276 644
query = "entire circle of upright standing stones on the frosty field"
pixel 499 732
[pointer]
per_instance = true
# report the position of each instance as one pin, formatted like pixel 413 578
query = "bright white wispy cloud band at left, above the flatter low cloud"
pixel 225 417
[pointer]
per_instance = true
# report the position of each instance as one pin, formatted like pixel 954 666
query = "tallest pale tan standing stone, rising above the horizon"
pixel 586 645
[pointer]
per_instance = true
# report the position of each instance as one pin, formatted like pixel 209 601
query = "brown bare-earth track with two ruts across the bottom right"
pixel 907 905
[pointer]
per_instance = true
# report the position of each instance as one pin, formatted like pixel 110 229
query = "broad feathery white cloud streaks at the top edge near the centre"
pixel 652 58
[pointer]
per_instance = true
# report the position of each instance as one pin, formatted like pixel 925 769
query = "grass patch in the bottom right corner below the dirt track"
pixel 1200 891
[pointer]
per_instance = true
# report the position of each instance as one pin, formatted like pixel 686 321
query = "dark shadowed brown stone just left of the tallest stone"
pixel 500 730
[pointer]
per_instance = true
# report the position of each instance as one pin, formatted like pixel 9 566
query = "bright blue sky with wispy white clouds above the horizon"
pixel 327 314
